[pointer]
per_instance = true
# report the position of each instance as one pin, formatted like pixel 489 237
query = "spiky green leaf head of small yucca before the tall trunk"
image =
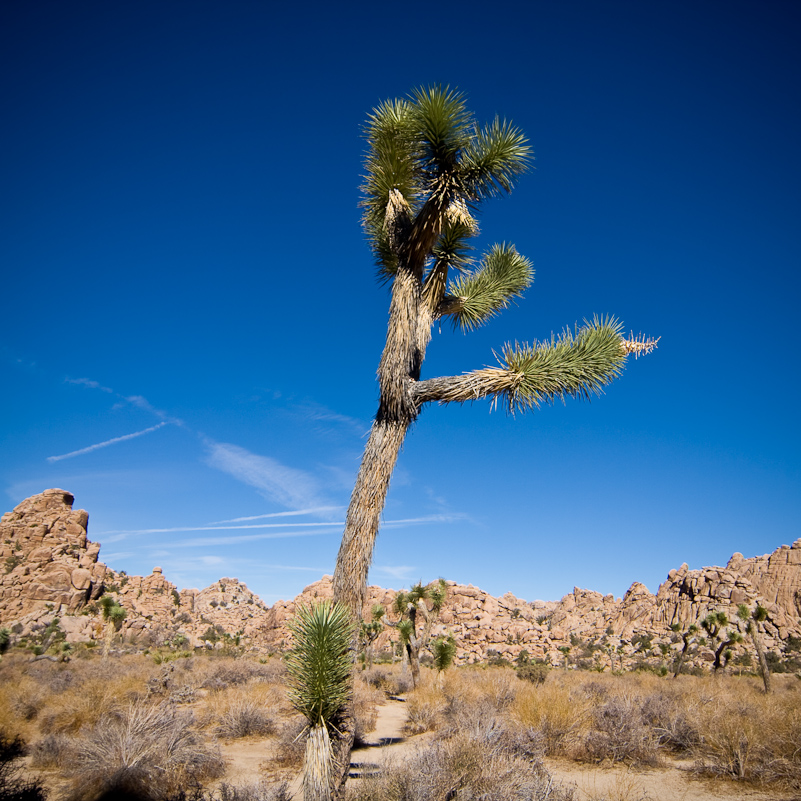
pixel 319 665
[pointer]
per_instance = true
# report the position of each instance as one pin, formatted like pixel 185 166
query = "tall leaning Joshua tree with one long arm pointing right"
pixel 429 167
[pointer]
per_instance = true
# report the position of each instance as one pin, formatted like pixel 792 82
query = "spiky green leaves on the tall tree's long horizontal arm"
pixel 578 364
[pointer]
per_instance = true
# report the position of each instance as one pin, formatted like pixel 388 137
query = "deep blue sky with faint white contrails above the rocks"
pixel 191 323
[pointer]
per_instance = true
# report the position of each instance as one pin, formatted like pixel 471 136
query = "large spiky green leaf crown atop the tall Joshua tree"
pixel 430 146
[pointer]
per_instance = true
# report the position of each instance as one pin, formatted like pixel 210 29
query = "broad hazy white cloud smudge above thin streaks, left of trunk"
pixel 275 481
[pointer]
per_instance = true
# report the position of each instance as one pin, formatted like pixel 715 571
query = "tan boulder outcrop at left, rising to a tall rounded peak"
pixel 50 568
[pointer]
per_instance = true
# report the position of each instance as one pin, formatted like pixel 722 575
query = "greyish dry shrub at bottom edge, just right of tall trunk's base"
pixel 462 766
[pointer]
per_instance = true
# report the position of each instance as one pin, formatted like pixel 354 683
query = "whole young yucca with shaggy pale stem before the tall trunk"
pixel 319 668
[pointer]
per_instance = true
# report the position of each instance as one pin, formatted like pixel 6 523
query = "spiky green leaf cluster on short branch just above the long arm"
pixel 502 276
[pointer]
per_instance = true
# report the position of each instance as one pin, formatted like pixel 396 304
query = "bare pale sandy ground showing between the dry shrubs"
pixel 673 782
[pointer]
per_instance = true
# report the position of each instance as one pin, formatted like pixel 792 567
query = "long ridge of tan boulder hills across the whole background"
pixel 51 568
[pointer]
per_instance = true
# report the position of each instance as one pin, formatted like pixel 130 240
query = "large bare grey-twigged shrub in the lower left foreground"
pixel 142 750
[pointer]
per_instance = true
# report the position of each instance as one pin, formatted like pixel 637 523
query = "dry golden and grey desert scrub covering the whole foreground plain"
pixel 170 729
